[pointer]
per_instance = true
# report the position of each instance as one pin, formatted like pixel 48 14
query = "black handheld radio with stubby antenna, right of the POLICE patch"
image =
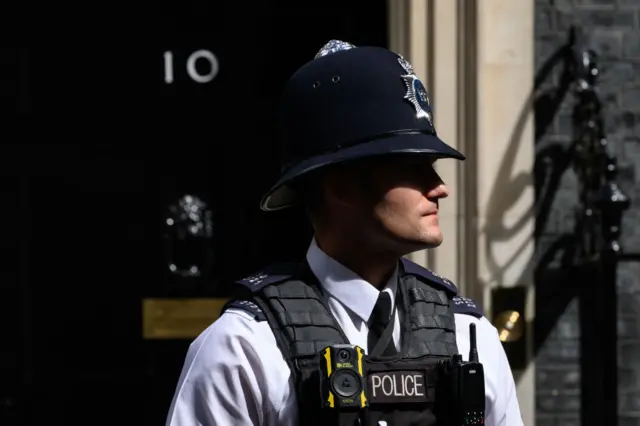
pixel 464 387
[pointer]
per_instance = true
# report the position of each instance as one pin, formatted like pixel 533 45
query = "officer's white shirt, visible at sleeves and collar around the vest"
pixel 234 372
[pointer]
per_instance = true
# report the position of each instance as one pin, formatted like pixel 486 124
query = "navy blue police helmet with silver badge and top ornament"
pixel 351 103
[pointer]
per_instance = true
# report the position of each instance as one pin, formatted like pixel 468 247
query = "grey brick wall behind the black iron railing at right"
pixel 612 28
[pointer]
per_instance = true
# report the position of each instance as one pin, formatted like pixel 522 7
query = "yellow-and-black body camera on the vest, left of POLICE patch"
pixel 343 383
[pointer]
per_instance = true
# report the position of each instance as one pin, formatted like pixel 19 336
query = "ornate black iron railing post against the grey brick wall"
pixel 602 204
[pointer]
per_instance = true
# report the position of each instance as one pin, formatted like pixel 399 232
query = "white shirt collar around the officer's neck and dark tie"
pixel 345 285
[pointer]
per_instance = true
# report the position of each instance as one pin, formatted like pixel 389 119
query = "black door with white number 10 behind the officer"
pixel 98 146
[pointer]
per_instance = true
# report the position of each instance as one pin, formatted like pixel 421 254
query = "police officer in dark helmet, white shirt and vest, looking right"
pixel 359 152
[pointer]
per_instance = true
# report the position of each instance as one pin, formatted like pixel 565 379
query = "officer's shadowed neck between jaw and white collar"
pixel 374 266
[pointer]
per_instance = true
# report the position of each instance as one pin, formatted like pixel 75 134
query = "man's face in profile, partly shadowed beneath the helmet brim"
pixel 399 202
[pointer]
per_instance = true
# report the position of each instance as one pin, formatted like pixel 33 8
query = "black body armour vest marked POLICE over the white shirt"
pixel 401 389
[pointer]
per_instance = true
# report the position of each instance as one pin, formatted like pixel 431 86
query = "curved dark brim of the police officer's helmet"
pixel 281 195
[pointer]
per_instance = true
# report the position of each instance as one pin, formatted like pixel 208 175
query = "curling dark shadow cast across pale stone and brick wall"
pixel 551 268
